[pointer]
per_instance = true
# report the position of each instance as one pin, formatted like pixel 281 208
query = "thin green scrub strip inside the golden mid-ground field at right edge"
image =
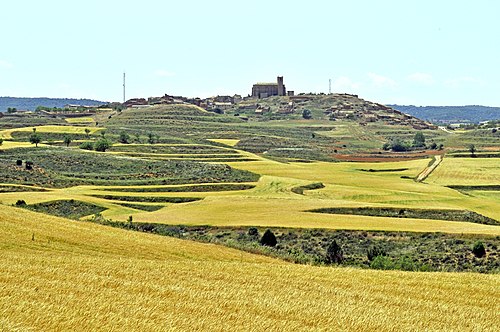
pixel 451 215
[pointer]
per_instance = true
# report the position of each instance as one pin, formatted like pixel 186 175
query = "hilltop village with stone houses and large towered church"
pixel 274 99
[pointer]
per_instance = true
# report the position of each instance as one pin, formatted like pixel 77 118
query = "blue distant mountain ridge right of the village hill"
pixel 451 114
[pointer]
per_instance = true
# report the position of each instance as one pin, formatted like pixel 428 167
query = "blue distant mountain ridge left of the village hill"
pixel 32 103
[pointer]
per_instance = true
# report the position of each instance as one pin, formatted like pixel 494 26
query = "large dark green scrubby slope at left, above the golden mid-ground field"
pixel 62 167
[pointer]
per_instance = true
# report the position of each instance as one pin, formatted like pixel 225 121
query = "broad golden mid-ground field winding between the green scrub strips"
pixel 345 184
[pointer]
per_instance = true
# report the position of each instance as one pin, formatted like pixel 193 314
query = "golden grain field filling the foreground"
pixel 57 274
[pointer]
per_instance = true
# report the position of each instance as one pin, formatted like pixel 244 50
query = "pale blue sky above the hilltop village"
pixel 405 52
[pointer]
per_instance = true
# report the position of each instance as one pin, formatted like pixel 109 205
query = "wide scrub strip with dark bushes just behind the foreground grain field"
pixel 406 251
